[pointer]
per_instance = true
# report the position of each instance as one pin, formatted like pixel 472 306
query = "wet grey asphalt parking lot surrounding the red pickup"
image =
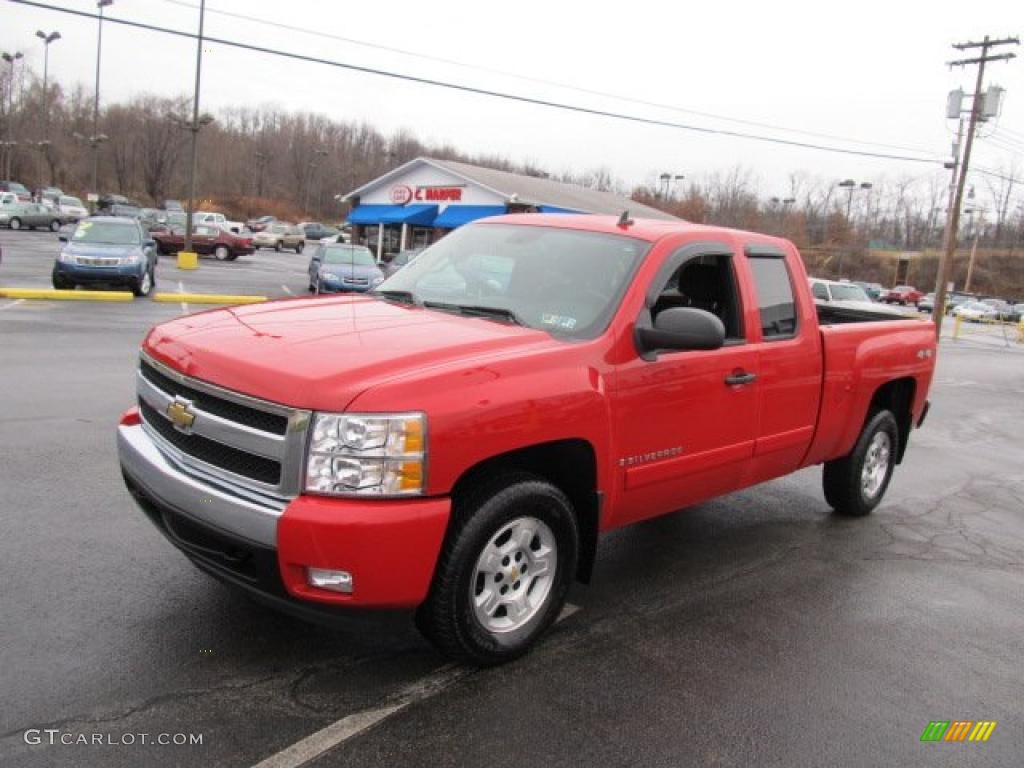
pixel 757 630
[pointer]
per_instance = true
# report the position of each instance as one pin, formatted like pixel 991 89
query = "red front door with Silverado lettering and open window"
pixel 687 420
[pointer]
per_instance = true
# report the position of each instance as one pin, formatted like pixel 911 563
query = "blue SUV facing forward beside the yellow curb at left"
pixel 108 250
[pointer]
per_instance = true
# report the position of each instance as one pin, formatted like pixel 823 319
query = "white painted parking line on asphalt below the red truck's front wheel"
pixel 340 732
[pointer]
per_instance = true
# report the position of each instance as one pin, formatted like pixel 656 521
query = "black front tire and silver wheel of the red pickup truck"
pixel 449 619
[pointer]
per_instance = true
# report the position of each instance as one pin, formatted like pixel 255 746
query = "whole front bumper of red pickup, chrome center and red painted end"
pixel 390 547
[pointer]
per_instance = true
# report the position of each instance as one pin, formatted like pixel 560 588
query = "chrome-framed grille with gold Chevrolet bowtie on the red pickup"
pixel 253 447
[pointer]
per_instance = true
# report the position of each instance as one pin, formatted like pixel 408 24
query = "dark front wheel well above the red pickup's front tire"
pixel 570 465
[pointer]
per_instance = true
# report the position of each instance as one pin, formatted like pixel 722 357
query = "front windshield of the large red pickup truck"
pixel 562 281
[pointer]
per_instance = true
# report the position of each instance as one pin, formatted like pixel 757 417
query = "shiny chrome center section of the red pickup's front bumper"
pixel 208 503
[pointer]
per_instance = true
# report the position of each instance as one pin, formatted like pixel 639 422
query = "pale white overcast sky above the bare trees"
pixel 867 71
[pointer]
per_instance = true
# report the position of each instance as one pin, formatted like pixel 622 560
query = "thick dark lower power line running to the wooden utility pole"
pixel 485 92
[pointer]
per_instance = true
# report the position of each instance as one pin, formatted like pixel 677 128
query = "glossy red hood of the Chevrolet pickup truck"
pixel 321 354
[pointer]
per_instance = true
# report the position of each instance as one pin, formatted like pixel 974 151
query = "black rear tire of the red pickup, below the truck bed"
pixel 844 480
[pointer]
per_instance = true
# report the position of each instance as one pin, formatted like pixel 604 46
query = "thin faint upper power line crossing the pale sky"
pixel 544 81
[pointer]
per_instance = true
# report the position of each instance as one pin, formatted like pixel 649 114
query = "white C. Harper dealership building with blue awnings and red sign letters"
pixel 421 201
